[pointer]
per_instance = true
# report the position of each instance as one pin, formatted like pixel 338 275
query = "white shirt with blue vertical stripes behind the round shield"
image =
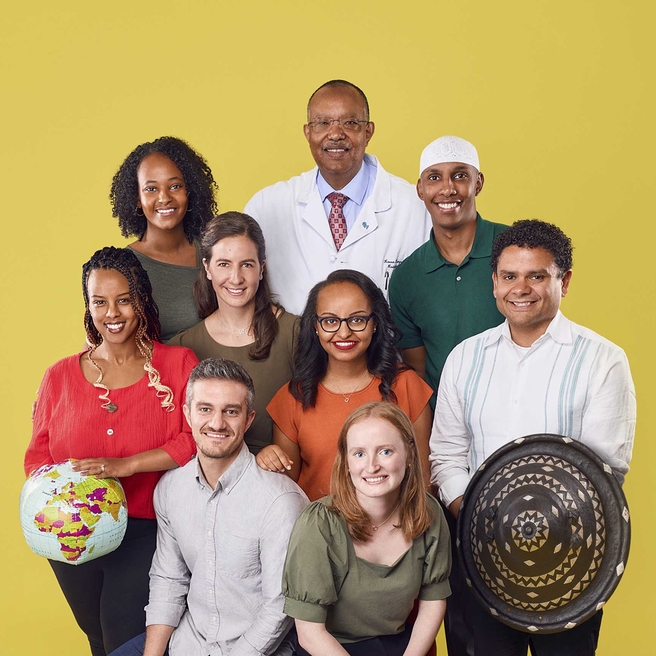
pixel 570 382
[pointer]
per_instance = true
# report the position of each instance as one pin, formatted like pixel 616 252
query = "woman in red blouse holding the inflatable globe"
pixel 98 407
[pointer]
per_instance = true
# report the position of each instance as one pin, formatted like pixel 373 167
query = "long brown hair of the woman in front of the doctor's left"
pixel 265 325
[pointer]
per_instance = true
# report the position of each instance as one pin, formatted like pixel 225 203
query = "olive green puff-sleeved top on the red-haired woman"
pixel 325 582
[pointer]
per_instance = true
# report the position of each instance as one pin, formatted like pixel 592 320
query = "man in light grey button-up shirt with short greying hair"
pixel 223 529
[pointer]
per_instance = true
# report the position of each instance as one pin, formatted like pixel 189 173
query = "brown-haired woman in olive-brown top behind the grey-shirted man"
pixel 240 322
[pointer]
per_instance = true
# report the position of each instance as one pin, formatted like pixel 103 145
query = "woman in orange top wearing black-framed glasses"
pixel 345 357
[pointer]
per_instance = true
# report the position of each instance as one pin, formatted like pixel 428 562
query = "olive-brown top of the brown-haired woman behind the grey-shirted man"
pixel 268 375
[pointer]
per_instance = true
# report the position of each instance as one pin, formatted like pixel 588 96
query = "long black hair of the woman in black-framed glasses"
pixel 310 359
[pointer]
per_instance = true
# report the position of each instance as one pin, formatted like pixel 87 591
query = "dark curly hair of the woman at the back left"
pixel 201 187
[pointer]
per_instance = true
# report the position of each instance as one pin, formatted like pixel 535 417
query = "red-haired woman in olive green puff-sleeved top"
pixel 358 560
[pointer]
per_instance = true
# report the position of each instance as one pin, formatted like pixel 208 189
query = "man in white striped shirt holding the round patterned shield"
pixel 537 372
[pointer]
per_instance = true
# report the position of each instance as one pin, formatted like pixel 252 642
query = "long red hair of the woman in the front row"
pixel 415 516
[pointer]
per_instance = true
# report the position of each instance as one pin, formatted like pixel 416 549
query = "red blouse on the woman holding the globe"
pixel 69 421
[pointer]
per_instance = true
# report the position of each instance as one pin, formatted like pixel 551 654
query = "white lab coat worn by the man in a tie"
pixel 392 223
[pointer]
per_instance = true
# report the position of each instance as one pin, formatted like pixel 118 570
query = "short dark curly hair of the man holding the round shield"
pixel 531 233
